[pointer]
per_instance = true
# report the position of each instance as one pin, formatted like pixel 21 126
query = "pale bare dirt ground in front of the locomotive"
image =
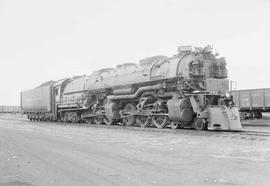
pixel 43 154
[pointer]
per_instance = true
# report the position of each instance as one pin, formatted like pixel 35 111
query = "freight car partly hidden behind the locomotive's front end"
pixel 252 102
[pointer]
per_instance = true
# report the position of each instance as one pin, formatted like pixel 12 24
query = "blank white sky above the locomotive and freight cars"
pixel 52 39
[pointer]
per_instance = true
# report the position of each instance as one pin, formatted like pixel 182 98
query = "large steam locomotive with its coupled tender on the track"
pixel 185 90
